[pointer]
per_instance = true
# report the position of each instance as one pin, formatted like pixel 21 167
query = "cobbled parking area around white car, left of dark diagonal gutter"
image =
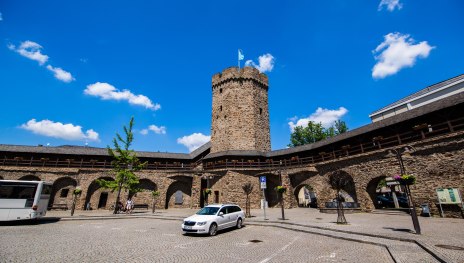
pixel 154 240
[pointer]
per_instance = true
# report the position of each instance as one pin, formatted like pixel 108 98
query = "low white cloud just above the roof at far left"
pixel 59 130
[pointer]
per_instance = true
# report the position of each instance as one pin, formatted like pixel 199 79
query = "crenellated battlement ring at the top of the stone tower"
pixel 236 74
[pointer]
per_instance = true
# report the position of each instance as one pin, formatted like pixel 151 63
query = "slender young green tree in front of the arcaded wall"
pixel 125 163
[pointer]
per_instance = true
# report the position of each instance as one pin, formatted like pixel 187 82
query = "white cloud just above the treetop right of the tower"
pixel 324 116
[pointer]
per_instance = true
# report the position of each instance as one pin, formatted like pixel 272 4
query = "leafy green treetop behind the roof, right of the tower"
pixel 314 132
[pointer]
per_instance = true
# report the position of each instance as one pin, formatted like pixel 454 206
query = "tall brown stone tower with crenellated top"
pixel 240 119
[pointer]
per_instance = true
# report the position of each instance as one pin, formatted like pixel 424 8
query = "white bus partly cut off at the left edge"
pixel 20 200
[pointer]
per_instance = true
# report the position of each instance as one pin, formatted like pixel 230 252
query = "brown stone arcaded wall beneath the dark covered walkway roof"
pixel 436 162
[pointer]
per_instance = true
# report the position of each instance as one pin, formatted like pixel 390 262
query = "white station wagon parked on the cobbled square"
pixel 214 217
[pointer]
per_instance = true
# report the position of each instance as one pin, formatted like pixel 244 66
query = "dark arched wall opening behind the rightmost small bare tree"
pixel 343 181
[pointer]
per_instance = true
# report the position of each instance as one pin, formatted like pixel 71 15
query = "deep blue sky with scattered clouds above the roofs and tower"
pixel 74 72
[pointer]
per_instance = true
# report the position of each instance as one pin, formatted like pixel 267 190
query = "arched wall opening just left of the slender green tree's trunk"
pixel 99 198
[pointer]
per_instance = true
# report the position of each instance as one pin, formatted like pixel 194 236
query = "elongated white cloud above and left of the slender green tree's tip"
pixel 108 92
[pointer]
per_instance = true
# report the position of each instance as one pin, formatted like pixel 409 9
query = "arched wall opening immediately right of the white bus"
pixel 62 191
